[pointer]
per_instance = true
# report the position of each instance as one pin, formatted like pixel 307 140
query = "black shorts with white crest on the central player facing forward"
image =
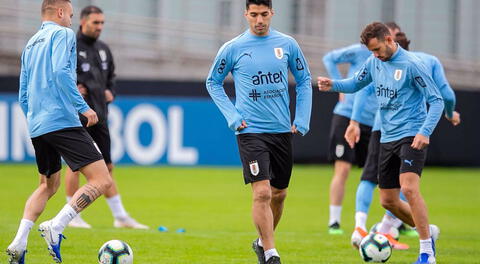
pixel 266 157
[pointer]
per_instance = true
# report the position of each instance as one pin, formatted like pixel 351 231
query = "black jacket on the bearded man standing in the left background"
pixel 96 71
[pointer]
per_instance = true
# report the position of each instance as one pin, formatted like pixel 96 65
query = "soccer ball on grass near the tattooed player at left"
pixel 115 252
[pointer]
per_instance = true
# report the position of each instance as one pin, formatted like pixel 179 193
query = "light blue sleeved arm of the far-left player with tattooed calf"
pixel 63 48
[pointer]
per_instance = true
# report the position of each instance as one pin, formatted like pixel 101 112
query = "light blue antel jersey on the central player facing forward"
pixel 259 66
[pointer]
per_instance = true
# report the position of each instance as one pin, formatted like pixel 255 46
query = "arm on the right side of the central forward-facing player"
pixel 299 67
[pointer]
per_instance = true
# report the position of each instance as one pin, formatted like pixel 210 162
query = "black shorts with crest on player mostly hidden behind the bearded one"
pixel 339 148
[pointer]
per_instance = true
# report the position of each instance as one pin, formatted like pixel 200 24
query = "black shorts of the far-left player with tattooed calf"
pixel 74 145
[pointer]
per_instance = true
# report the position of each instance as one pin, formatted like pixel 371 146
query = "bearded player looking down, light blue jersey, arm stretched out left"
pixel 402 86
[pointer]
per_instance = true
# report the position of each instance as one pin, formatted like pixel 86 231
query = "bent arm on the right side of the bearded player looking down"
pixel 425 84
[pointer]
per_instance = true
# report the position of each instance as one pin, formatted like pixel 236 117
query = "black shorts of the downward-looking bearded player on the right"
pixel 399 157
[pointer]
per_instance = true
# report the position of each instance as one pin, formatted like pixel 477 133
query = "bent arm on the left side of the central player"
pixel 222 65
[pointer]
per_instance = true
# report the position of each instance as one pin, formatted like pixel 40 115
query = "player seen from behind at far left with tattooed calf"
pixel 51 102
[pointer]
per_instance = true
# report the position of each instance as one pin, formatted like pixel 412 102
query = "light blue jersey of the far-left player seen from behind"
pixel 48 84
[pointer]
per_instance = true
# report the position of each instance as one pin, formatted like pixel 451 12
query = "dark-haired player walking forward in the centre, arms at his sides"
pixel 259 60
